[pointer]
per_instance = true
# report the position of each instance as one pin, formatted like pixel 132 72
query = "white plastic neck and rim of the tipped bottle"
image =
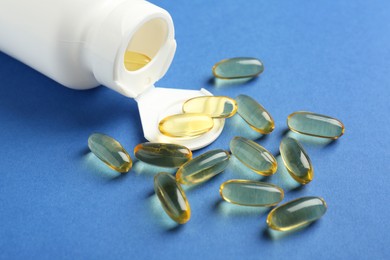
pixel 136 26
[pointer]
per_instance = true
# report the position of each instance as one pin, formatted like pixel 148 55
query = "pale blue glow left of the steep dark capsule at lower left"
pixel 159 215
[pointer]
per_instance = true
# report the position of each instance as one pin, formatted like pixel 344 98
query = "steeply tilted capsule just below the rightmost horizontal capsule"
pixel 296 160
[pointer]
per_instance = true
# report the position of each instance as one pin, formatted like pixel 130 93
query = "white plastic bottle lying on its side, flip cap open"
pixel 81 44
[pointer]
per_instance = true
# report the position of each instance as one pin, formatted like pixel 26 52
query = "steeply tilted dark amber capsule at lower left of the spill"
pixel 172 197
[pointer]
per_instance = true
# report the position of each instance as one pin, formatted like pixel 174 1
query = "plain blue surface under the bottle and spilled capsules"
pixel 330 57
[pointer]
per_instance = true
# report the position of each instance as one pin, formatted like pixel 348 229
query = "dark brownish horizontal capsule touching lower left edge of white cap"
pixel 163 155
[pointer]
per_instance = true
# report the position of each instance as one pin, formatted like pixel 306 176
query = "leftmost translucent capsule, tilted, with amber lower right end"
pixel 110 152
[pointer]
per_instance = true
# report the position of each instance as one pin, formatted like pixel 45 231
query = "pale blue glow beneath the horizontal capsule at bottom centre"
pixel 232 210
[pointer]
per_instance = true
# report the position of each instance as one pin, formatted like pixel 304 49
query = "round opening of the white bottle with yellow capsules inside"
pixel 145 44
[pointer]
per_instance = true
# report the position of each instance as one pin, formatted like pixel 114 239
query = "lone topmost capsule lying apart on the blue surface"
pixel 236 68
